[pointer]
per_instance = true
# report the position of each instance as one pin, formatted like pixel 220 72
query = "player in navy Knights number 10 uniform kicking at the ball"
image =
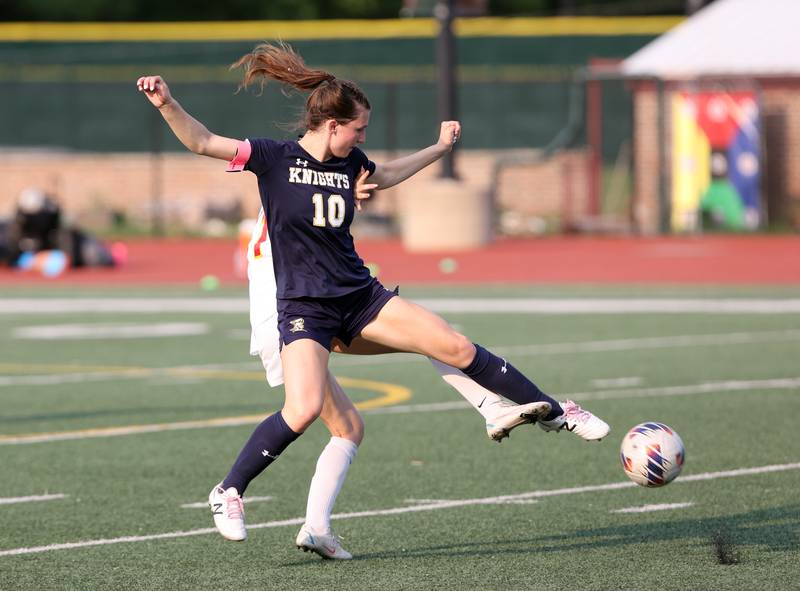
pixel 324 291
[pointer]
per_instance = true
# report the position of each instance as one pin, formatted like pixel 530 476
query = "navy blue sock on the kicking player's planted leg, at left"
pixel 266 443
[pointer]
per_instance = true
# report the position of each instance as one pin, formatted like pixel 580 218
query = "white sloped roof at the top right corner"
pixel 727 38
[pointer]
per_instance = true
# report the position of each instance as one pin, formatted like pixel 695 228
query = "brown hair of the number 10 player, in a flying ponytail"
pixel 330 98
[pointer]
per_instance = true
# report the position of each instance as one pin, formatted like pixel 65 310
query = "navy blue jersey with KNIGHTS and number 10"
pixel 309 206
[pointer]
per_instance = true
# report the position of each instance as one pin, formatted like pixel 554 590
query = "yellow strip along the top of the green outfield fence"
pixel 333 29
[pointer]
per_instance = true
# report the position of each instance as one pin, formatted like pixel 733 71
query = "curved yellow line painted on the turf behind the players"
pixel 390 394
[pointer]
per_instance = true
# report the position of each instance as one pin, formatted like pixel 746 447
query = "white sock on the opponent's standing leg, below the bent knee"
pixel 332 467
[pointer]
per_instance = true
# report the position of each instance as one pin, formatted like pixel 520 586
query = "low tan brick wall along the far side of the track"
pixel 90 186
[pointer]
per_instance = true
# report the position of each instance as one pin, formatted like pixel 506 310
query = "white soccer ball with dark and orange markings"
pixel 652 454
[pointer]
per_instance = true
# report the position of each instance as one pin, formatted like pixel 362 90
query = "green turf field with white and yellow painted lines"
pixel 117 433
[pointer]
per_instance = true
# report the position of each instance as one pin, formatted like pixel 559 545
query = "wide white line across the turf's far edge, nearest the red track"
pixel 553 305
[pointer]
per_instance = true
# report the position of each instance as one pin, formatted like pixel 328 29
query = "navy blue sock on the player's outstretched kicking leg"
pixel 501 377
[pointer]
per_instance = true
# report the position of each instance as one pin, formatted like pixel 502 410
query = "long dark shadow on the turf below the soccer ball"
pixel 773 529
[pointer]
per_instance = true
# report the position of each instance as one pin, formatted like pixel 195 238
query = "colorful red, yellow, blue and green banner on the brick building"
pixel 715 161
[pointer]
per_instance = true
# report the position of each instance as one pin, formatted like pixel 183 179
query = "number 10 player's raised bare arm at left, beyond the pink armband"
pixel 192 134
